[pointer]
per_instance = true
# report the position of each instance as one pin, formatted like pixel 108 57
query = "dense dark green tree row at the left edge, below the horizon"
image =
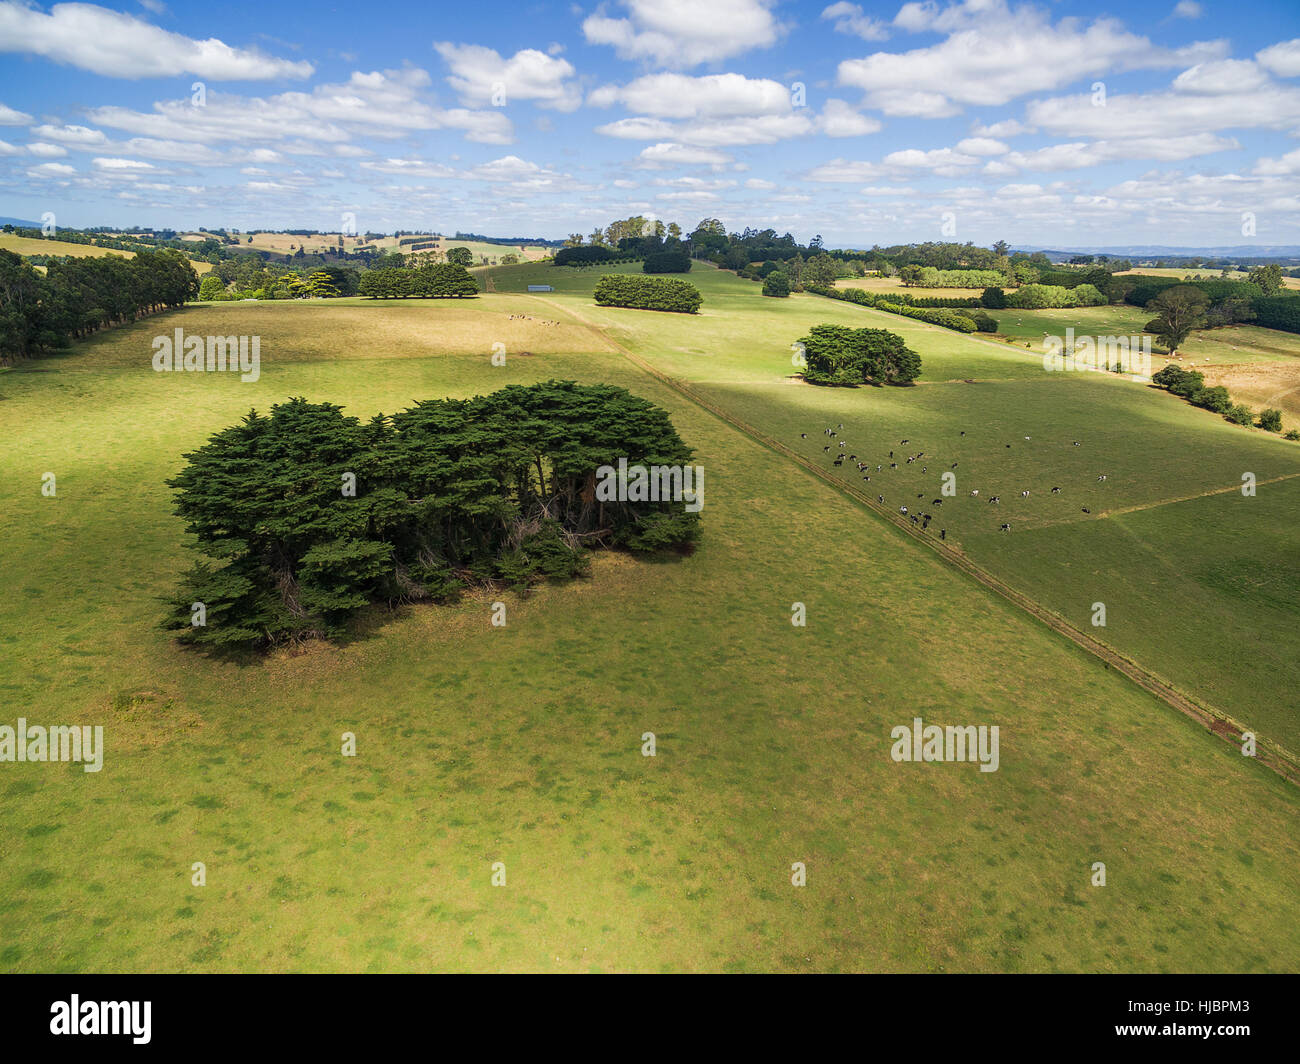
pixel 80 296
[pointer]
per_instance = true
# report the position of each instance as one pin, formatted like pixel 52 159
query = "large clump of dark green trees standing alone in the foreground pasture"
pixel 307 516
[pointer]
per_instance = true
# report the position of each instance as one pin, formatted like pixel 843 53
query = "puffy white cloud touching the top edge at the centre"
pixel 684 33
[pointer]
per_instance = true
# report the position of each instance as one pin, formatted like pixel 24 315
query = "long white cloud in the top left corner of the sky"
pixel 122 46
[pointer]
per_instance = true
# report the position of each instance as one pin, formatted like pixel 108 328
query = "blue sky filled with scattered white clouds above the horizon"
pixel 1045 124
